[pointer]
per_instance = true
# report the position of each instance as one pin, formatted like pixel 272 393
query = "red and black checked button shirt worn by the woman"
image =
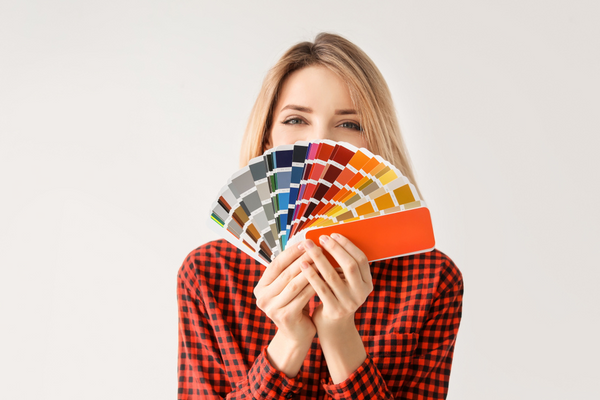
pixel 408 325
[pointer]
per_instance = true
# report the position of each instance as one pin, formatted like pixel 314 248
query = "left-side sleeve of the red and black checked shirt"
pixel 201 367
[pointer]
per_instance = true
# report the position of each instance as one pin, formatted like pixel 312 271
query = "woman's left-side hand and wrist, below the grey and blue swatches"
pixel 282 293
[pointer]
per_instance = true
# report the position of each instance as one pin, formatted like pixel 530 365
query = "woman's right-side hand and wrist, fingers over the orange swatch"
pixel 340 341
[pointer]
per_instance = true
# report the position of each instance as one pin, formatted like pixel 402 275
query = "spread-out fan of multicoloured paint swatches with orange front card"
pixel 305 190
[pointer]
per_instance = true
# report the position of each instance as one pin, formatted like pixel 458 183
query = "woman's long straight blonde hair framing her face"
pixel 368 90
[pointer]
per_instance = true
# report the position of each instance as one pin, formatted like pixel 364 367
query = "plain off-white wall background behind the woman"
pixel 121 120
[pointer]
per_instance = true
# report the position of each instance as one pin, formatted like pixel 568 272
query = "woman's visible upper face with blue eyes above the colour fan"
pixel 314 104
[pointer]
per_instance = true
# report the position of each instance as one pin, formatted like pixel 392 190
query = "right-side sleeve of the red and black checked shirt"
pixel 429 370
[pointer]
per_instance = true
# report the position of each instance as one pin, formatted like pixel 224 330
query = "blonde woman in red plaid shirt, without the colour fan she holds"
pixel 299 328
